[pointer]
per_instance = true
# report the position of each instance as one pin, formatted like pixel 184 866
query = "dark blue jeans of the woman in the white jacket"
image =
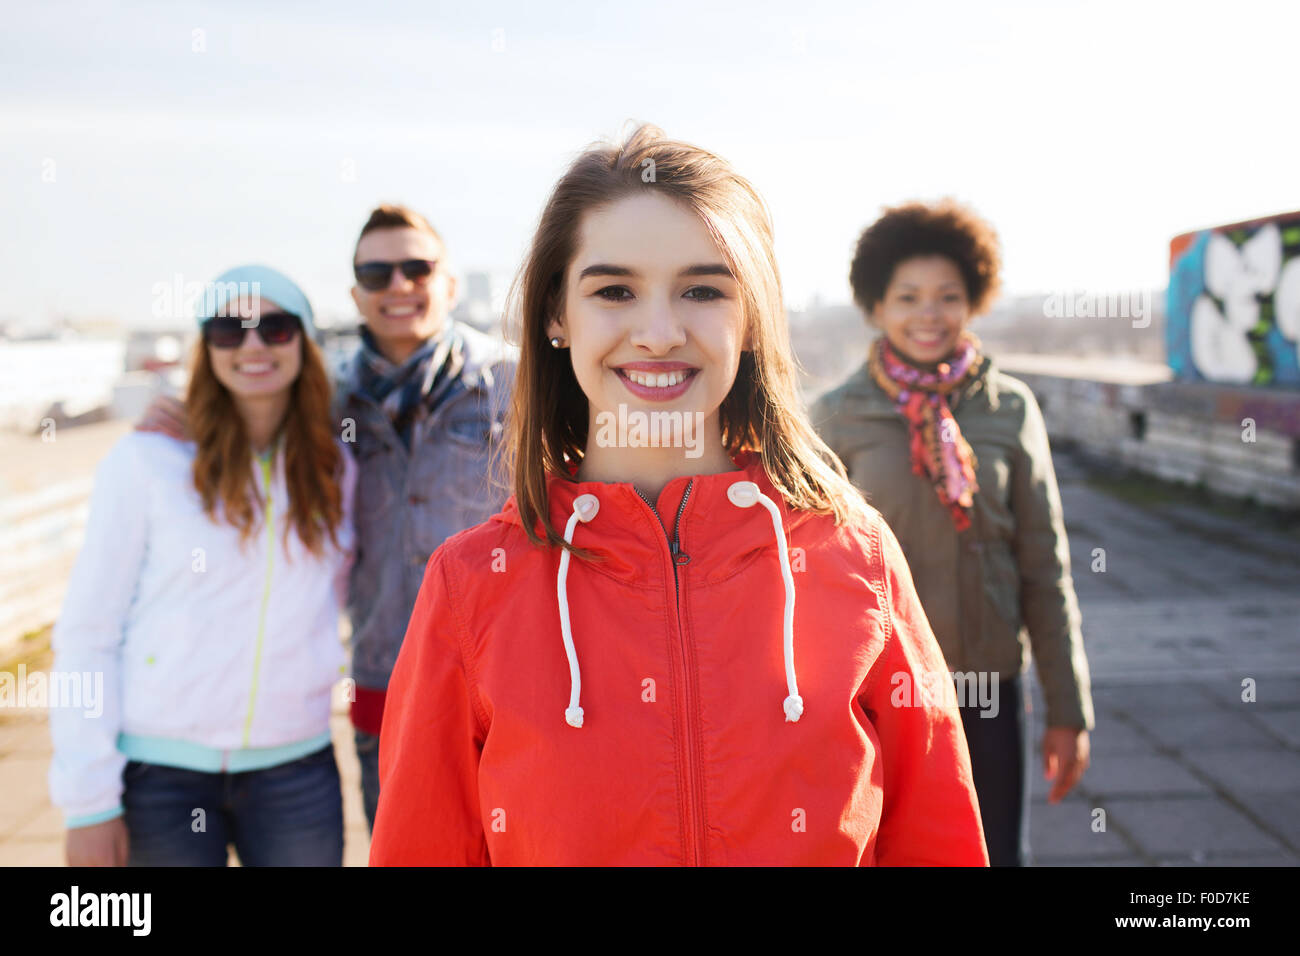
pixel 291 815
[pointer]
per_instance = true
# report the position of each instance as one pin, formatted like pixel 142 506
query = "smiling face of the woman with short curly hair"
pixel 925 309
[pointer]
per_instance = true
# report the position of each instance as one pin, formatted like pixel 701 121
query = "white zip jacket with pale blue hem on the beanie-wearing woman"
pixel 214 655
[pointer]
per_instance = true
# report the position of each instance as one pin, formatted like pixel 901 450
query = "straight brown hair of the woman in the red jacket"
pixel 764 410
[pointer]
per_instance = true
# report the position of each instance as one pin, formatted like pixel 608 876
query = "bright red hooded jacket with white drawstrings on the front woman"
pixel 673 703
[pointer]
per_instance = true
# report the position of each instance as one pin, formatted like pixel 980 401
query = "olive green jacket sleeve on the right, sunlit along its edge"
pixel 1048 603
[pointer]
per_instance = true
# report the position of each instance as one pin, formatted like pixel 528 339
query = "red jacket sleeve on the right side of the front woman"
pixel 930 815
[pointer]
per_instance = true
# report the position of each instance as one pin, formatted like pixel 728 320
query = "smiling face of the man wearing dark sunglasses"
pixel 408 313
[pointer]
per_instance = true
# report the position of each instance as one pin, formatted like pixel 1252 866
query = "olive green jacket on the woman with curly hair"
pixel 1009 573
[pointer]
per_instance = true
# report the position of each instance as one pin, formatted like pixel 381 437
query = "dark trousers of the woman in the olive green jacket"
pixel 1000 763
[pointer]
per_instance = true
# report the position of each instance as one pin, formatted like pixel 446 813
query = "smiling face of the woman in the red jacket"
pixel 653 317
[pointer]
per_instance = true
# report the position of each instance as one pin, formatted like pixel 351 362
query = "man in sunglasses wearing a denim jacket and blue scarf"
pixel 422 405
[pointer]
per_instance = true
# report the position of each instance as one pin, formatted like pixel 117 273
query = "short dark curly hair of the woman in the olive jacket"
pixel 943 228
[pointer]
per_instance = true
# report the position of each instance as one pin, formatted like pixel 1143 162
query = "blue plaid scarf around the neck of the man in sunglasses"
pixel 418 383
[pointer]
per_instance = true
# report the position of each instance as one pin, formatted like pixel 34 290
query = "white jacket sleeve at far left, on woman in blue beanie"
pixel 86 769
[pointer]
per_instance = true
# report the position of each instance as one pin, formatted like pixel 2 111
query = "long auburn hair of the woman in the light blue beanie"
pixel 223 466
